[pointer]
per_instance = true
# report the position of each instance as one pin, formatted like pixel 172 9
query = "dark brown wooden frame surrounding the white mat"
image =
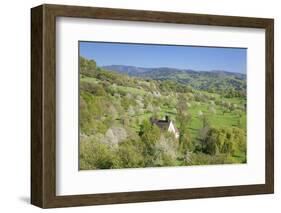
pixel 43 105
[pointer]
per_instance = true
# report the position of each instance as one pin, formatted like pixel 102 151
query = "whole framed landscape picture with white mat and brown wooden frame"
pixel 136 106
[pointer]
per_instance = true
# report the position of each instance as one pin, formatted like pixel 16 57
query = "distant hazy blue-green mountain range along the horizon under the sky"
pixel 204 80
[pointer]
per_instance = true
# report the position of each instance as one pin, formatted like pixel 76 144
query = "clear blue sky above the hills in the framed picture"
pixel 151 55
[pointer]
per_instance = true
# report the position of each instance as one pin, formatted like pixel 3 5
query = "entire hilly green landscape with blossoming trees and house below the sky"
pixel 121 112
